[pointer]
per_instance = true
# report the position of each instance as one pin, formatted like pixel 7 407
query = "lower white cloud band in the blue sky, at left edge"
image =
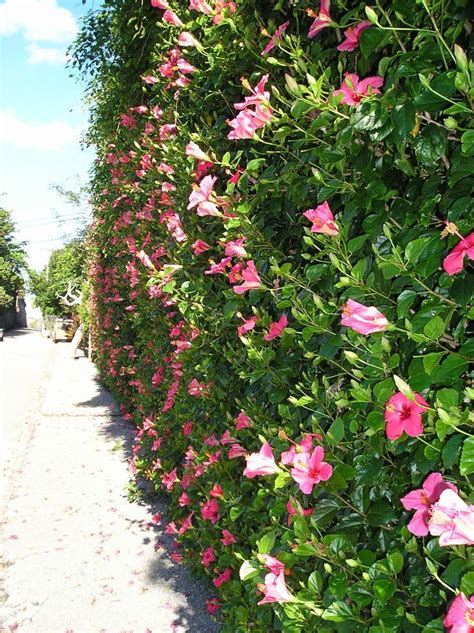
pixel 20 134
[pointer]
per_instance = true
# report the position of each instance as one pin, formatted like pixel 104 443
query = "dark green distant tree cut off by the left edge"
pixel 12 262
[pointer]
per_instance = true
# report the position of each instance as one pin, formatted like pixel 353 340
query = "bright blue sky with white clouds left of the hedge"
pixel 41 118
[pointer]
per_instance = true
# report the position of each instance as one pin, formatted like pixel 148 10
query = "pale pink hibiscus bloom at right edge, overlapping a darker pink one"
pixel 452 520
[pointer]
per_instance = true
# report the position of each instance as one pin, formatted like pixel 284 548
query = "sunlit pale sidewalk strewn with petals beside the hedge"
pixel 78 557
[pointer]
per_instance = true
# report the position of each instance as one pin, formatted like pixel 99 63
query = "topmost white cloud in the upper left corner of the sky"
pixel 37 20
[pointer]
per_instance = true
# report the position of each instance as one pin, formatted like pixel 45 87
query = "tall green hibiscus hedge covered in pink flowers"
pixel 283 228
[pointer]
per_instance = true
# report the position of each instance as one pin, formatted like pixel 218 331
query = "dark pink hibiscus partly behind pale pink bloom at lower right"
pixel 422 499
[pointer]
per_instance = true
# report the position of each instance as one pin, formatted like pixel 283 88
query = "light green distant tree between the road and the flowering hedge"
pixel 65 265
